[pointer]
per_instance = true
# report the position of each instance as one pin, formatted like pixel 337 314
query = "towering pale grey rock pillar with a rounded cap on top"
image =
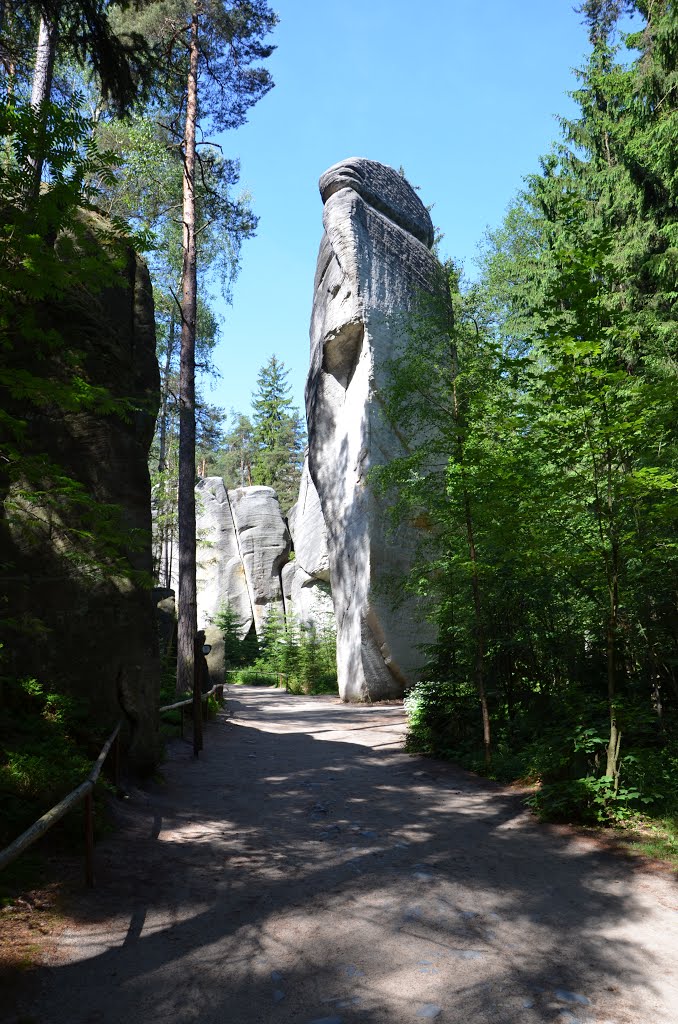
pixel 374 260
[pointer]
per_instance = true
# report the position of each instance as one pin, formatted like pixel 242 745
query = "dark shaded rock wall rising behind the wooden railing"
pixel 79 626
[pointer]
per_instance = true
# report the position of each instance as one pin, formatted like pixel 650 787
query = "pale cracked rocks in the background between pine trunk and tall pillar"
pixel 243 544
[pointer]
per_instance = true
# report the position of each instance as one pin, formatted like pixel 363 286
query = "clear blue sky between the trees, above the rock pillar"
pixel 463 96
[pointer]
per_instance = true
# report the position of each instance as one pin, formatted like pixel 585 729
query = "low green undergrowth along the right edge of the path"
pixel 549 745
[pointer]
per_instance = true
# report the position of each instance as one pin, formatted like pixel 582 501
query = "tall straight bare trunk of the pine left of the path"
pixel 188 616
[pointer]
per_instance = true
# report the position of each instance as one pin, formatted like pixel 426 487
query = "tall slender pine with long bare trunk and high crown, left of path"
pixel 213 78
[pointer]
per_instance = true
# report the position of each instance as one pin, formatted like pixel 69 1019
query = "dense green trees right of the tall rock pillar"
pixel 538 414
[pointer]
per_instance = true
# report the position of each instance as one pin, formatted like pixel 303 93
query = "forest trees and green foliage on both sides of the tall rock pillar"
pixel 538 401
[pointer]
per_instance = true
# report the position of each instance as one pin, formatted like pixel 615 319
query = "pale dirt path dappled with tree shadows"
pixel 306 870
